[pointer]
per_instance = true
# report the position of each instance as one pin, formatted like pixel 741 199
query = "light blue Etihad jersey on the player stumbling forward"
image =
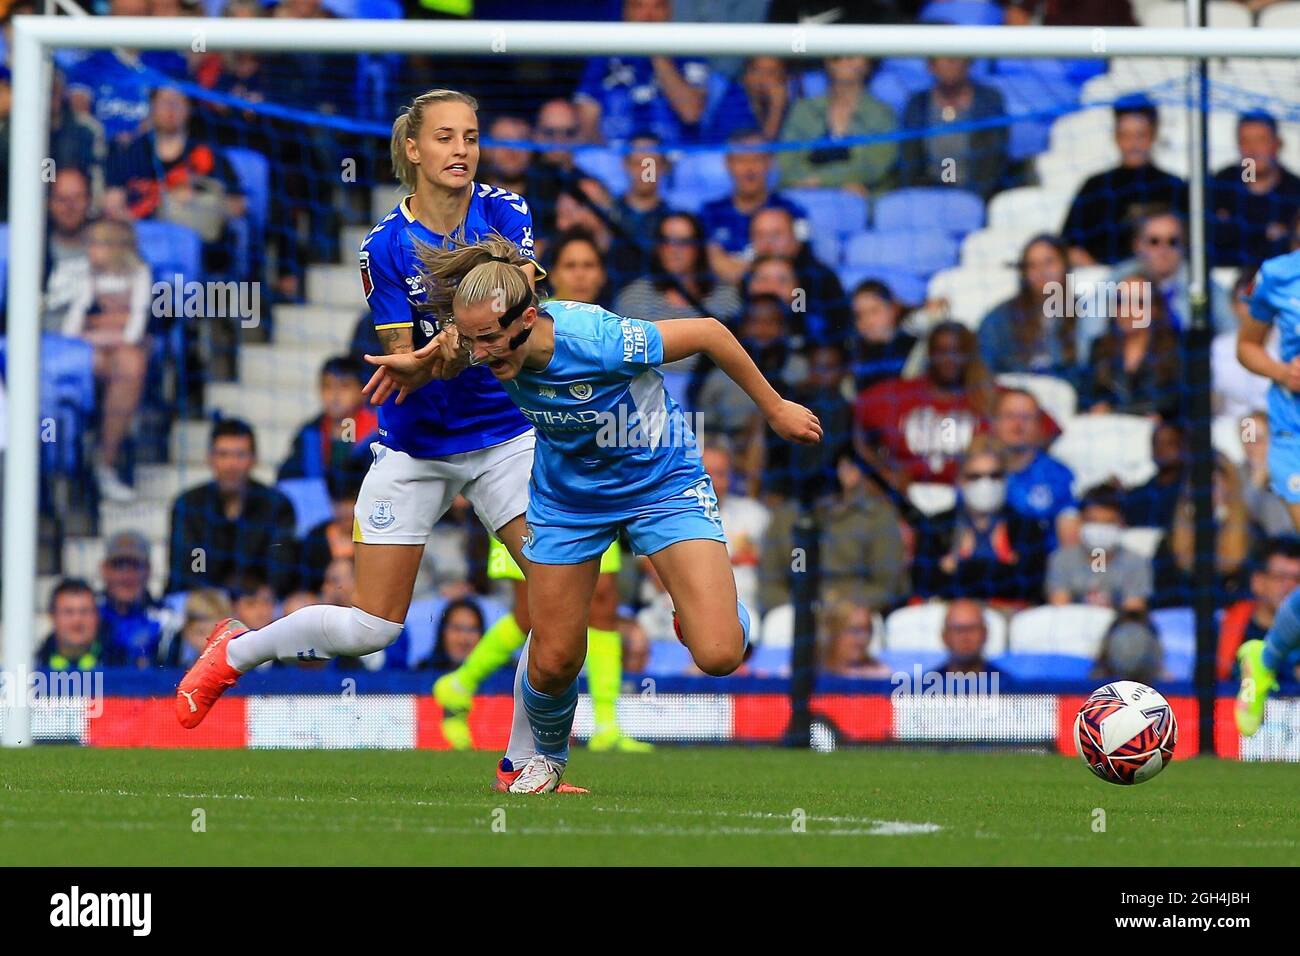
pixel 609 434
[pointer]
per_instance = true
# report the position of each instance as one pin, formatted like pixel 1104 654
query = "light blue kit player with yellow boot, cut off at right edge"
pixel 1275 297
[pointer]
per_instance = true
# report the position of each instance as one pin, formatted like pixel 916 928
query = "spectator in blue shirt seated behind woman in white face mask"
pixel 1038 486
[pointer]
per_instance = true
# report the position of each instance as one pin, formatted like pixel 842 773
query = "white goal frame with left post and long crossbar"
pixel 34 38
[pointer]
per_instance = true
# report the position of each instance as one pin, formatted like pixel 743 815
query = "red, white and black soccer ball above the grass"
pixel 1126 733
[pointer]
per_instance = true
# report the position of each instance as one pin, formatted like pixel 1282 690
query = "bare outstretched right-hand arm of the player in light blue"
pixel 687 338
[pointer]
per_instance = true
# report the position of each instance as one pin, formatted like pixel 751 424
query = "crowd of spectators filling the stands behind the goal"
pixel 938 479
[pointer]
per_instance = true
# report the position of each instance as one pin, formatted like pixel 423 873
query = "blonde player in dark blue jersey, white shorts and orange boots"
pixel 460 436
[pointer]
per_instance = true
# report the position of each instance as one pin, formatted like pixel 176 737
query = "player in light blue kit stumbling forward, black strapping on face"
pixel 614 453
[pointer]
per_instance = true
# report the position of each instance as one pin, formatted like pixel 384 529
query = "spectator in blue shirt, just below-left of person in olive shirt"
pixel 727 220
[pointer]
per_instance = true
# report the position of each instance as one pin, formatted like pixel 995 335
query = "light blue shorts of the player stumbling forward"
pixel 557 537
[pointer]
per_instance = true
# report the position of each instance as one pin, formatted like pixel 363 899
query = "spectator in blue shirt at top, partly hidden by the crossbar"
pixel 622 96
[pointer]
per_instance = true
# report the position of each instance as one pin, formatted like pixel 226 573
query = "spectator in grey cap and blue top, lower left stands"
pixel 133 621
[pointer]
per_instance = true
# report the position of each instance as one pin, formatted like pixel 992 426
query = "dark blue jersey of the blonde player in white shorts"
pixel 470 412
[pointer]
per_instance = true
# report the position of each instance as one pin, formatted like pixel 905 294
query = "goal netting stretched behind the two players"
pixel 954 280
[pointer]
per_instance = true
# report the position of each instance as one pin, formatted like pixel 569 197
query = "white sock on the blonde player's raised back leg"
pixel 317 633
